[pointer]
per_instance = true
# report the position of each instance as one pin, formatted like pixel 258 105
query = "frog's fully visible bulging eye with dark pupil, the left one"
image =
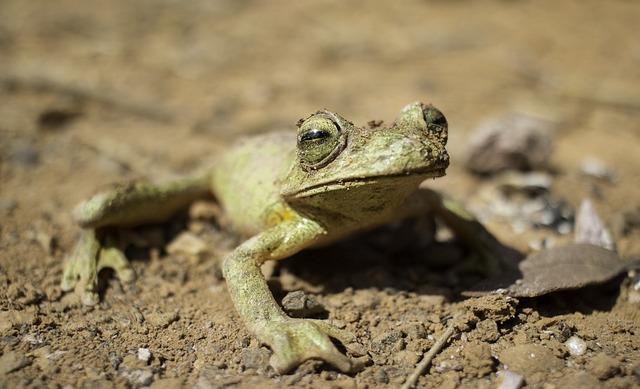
pixel 320 140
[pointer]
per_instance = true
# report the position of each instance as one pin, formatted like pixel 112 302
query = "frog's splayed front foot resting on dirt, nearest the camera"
pixel 294 341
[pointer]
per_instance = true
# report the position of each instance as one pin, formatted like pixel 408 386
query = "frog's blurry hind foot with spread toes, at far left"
pixel 89 257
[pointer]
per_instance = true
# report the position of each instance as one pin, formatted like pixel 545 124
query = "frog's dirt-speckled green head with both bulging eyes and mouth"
pixel 338 162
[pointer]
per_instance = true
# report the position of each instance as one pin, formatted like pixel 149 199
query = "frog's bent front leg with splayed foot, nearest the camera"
pixel 292 340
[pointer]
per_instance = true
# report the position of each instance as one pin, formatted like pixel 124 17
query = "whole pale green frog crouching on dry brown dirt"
pixel 285 192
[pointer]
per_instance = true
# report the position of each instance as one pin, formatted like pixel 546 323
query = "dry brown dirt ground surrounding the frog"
pixel 97 92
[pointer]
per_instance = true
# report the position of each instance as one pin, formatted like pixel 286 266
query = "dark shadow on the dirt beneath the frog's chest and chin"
pixel 384 258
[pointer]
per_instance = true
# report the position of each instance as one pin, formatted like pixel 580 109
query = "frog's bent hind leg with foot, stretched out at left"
pixel 122 205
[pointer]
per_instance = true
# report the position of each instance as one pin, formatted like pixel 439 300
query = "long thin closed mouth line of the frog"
pixel 355 182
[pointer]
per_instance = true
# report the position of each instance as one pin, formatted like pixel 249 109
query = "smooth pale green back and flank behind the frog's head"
pixel 246 179
